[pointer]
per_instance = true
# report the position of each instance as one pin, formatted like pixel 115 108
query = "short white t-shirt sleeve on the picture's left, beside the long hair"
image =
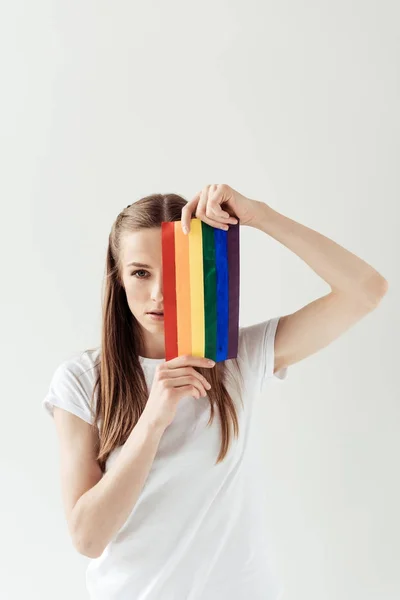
pixel 68 391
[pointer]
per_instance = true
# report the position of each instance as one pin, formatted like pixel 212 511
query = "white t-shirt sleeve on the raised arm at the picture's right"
pixel 257 344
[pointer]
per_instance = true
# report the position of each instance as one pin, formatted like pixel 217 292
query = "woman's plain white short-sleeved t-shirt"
pixel 196 530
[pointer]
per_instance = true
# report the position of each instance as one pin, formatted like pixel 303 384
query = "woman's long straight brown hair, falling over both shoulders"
pixel 121 383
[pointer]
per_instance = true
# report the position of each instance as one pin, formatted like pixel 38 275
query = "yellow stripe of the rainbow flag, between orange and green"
pixel 196 287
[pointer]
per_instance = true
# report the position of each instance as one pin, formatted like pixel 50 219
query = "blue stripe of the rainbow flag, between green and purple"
pixel 221 265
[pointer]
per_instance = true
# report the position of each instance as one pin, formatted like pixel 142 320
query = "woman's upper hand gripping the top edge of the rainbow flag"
pixel 207 206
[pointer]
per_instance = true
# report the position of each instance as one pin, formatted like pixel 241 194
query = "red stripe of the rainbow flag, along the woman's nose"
pixel 170 320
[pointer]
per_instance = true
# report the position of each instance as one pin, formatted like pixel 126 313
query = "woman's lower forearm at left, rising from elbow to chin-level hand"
pixel 101 511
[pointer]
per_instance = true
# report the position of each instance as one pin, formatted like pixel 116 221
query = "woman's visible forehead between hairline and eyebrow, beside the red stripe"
pixel 142 246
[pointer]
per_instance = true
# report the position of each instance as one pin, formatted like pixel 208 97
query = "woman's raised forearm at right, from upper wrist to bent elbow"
pixel 342 270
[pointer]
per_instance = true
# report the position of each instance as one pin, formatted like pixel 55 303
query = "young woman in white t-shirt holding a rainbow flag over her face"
pixel 155 455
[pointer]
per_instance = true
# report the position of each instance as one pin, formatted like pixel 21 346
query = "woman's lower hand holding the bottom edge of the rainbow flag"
pixel 174 379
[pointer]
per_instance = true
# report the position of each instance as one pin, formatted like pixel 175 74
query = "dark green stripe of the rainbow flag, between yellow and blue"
pixel 210 291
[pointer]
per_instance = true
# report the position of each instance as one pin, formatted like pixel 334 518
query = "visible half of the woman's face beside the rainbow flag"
pixel 143 281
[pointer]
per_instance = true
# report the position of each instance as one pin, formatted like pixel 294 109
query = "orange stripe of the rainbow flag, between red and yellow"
pixel 182 279
